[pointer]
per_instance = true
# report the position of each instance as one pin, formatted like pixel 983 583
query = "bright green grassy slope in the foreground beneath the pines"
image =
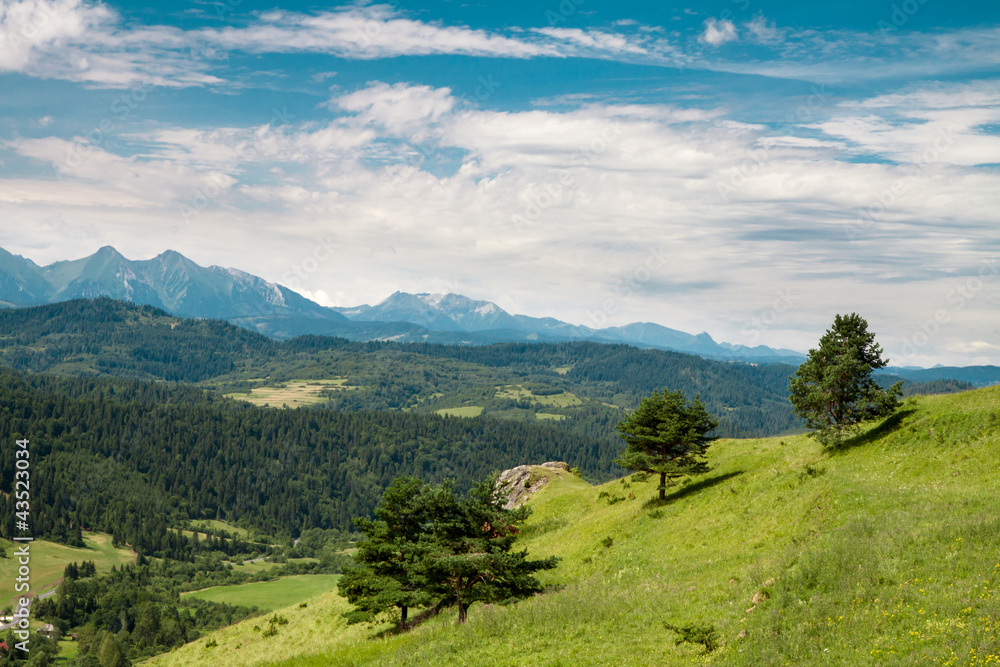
pixel 885 553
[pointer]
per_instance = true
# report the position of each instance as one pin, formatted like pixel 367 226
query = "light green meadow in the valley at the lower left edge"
pixel 49 560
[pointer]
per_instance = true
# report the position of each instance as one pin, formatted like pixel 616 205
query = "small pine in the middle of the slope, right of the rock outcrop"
pixel 667 435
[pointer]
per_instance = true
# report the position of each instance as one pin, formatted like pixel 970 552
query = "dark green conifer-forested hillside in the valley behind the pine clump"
pixel 136 459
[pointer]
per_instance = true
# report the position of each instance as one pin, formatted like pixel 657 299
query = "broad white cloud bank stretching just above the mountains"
pixel 597 187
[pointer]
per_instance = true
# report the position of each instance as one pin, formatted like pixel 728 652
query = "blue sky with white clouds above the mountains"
pixel 747 168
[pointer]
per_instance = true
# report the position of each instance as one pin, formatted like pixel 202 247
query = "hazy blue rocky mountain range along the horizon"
pixel 180 286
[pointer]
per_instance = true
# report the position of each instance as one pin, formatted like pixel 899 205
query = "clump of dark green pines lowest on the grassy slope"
pixel 430 547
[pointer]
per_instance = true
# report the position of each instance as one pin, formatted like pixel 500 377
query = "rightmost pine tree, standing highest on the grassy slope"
pixel 833 390
